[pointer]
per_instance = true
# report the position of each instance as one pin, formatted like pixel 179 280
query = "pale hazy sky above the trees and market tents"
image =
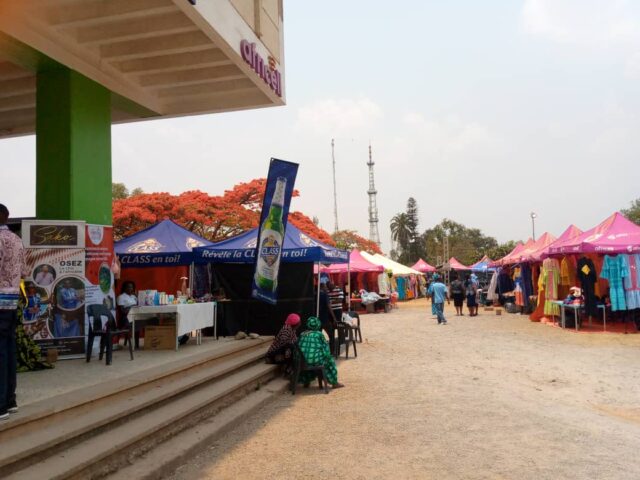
pixel 481 111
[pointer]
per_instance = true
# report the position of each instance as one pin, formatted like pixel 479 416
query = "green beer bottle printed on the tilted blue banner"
pixel 270 242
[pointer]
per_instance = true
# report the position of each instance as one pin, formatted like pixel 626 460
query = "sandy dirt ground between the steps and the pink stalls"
pixel 490 397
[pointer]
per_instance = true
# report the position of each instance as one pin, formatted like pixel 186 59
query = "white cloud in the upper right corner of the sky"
pixel 583 22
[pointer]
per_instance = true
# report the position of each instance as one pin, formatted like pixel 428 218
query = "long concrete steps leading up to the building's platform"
pixel 108 428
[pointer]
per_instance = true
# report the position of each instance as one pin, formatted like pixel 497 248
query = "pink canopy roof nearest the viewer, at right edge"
pixel 615 234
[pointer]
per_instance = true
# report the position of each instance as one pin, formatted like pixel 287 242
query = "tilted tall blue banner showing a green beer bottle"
pixel 273 223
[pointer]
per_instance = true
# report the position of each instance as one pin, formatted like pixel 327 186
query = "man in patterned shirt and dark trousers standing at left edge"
pixel 12 269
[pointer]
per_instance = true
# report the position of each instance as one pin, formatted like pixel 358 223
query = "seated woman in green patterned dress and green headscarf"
pixel 315 349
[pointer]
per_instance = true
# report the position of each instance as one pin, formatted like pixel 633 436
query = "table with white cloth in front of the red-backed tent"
pixel 189 317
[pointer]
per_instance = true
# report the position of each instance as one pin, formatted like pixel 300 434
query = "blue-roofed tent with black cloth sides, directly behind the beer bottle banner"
pixel 233 259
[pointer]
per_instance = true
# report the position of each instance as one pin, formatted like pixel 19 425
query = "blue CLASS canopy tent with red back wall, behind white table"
pixel 157 257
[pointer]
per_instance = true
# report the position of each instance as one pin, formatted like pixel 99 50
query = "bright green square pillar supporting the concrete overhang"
pixel 73 148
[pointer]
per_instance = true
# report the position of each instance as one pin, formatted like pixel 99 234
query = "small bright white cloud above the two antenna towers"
pixel 339 116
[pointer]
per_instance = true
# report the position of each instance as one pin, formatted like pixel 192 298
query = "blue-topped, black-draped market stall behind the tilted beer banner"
pixel 227 268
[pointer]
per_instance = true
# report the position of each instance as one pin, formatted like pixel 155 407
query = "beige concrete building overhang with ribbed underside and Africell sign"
pixel 159 58
